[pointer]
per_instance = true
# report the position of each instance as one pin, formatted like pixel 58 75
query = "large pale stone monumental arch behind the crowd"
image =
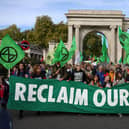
pixel 80 22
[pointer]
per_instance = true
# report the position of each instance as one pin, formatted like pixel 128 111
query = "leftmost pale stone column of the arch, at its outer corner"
pixel 70 35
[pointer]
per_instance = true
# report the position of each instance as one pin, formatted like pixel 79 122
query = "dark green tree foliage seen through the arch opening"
pixel 92 45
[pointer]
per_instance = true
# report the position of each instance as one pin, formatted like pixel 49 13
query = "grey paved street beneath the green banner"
pixel 69 121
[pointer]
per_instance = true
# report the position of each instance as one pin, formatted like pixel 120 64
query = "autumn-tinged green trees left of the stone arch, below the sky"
pixel 43 32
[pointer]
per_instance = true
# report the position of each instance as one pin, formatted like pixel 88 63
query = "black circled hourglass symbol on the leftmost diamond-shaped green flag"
pixel 8 54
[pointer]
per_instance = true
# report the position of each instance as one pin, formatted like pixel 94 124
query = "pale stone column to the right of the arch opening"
pixel 112 45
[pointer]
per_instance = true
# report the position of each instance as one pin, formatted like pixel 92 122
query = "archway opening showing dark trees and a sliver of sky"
pixel 92 45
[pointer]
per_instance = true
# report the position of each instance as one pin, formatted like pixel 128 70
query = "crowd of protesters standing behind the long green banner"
pixel 101 75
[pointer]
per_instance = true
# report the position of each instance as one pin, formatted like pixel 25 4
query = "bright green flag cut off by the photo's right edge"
pixel 124 41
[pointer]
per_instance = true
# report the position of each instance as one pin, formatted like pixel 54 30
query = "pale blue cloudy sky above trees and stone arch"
pixel 23 13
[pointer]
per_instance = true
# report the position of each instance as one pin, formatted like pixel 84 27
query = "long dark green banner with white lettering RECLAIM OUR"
pixel 63 96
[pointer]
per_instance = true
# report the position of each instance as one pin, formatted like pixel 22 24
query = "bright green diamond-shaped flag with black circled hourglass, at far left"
pixel 10 52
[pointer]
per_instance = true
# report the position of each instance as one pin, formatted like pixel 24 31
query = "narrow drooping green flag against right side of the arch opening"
pixel 104 57
